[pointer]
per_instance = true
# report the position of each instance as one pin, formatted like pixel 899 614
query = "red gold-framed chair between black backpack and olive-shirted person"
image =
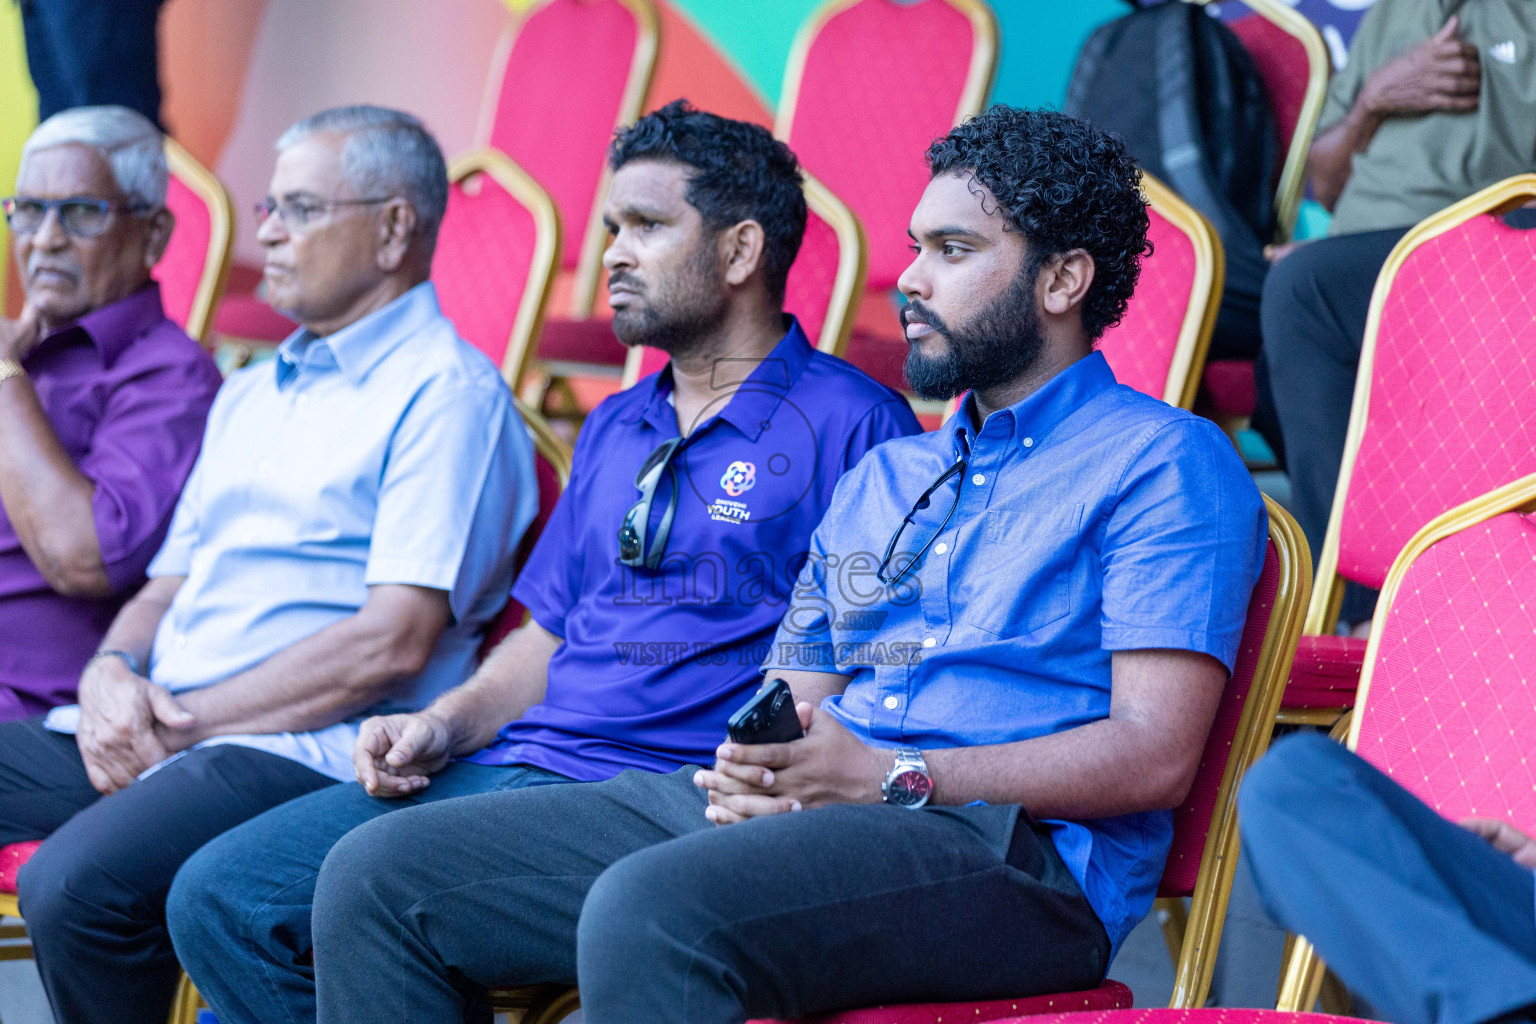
pixel 1294 62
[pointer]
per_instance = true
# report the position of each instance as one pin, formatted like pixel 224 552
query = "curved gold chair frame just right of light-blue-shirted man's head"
pixel 546 251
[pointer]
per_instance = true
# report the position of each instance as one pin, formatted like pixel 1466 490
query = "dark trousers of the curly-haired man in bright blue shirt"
pixel 669 919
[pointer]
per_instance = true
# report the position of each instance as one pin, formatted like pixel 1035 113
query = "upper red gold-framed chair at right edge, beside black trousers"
pixel 1443 412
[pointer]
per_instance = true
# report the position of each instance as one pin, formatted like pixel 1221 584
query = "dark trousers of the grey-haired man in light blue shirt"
pixel 94 893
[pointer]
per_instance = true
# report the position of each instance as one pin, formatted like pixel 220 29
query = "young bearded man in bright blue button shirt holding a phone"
pixel 984 816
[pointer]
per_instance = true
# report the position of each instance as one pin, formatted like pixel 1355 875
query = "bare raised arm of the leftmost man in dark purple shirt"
pixel 47 498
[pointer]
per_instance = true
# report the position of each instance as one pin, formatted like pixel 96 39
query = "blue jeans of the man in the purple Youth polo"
pixel 239 910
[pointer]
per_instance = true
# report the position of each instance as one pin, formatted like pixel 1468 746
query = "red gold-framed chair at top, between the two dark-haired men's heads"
pixel 836 114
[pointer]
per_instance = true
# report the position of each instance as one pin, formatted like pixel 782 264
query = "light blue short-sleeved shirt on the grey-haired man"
pixel 386 454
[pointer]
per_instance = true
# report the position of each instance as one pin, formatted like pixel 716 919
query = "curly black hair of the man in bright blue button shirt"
pixel 1067 185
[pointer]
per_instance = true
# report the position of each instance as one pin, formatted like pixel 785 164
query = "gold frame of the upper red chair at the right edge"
pixel 1328 590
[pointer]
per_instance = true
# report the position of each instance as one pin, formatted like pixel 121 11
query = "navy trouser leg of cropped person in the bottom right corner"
pixel 1420 916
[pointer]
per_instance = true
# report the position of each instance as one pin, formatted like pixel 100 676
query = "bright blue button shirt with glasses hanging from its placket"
pixel 1093 520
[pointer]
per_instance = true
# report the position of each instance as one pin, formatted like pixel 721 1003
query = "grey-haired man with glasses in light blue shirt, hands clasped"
pixel 345 538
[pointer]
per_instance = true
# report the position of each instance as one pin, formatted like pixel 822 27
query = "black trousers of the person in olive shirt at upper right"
pixel 1314 315
